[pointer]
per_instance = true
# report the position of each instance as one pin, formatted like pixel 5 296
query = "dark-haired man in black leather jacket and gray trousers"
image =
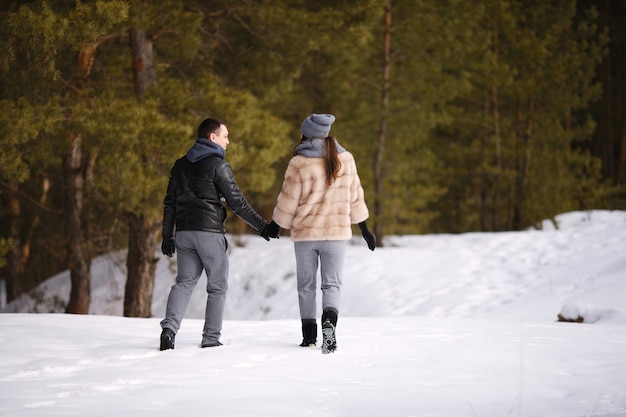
pixel 199 183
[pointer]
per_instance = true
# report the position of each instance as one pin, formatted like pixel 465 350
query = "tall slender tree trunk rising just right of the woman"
pixel 382 129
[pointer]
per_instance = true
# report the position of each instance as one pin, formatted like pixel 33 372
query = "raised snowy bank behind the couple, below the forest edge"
pixel 468 275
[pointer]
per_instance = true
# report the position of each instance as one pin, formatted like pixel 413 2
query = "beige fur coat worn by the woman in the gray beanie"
pixel 314 210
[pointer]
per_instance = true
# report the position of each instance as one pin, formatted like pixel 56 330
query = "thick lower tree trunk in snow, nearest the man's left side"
pixel 141 266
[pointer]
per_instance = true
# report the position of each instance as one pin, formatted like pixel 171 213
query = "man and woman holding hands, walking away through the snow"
pixel 321 197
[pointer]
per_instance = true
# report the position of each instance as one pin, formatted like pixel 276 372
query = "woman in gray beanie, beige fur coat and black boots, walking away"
pixel 321 198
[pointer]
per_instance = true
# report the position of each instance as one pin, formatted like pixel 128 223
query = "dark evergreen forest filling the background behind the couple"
pixel 463 116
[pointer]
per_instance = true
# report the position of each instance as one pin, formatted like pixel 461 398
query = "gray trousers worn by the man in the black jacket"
pixel 196 251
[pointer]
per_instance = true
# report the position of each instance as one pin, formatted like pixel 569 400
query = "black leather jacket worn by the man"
pixel 196 190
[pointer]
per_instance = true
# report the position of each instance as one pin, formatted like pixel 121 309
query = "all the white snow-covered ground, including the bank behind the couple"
pixel 434 325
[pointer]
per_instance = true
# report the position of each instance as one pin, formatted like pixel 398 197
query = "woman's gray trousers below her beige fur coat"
pixel 329 254
